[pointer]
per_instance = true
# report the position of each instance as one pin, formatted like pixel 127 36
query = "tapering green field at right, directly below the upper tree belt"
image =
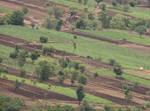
pixel 120 35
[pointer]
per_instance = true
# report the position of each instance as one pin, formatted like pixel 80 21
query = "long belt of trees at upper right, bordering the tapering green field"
pixel 116 22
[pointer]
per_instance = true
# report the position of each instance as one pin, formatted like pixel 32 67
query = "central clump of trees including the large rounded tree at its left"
pixel 64 69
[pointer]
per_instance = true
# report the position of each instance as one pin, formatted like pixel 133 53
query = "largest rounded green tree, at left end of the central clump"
pixel 44 70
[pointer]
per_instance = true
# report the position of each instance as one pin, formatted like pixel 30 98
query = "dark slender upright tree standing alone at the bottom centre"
pixel 80 93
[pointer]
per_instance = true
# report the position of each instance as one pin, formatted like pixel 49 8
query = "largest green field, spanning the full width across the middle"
pixel 85 46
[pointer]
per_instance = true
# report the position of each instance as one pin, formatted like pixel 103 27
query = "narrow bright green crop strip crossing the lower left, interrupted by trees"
pixel 58 89
